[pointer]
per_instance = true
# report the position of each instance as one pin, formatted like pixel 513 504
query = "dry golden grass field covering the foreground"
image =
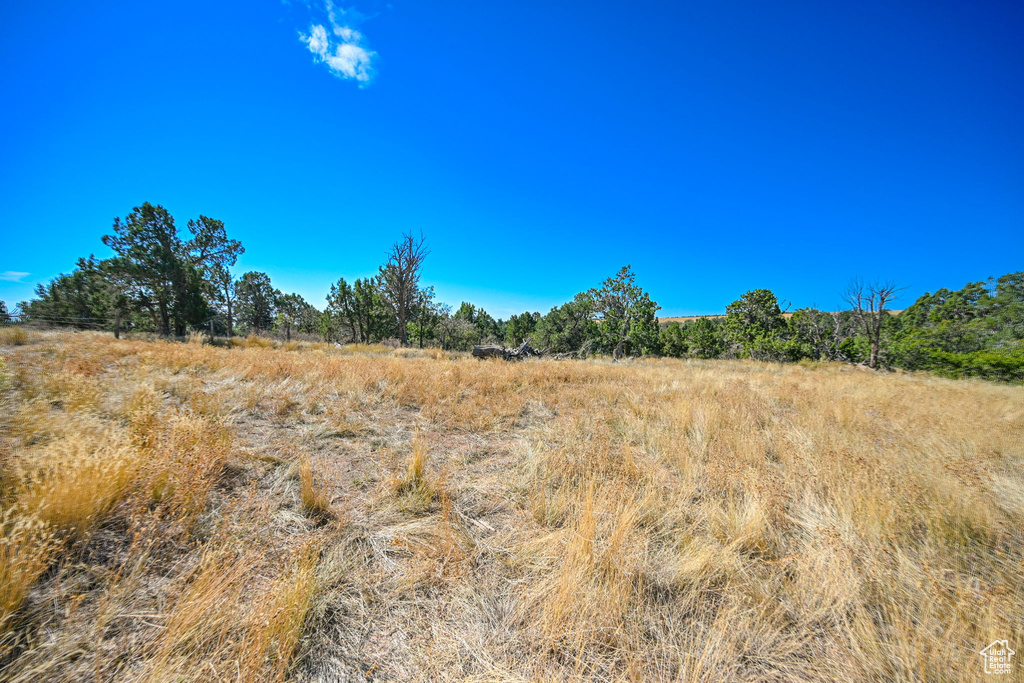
pixel 267 511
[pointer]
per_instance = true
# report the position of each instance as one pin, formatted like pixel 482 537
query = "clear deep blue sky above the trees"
pixel 716 147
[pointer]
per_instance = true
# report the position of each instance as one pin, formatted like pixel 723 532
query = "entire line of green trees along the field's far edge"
pixel 162 281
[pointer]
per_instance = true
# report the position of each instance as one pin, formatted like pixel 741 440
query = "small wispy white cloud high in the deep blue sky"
pixel 340 48
